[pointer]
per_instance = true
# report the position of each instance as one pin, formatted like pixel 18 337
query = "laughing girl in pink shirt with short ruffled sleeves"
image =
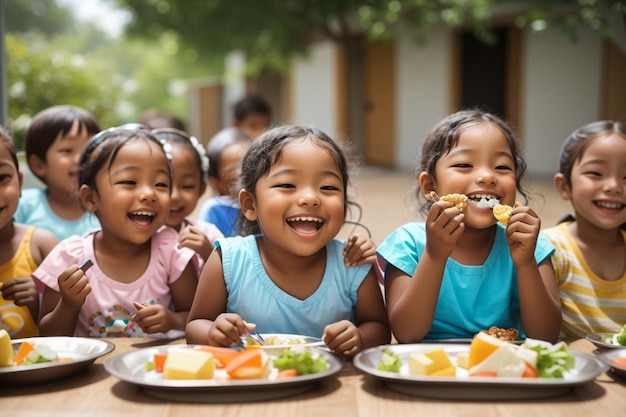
pixel 125 180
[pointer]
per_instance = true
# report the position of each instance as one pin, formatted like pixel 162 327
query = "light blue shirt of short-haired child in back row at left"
pixel 34 209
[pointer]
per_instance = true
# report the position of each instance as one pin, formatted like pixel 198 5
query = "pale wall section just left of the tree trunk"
pixel 313 86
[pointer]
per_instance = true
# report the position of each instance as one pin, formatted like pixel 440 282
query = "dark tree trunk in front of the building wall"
pixel 354 48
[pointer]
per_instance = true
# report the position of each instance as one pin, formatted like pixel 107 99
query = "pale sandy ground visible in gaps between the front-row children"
pixel 387 199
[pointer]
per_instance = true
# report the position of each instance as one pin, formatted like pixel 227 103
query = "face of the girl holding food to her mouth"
pixel 481 166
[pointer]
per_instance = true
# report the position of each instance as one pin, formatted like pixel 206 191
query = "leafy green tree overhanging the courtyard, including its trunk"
pixel 272 31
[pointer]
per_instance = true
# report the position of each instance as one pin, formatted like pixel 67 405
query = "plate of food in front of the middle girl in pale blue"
pixel 196 373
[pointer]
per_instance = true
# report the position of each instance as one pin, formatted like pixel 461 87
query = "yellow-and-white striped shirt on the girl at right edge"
pixel 589 303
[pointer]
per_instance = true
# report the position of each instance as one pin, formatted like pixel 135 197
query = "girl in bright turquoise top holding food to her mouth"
pixel 459 273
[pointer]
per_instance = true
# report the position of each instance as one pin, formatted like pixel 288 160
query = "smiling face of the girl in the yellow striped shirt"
pixel 598 183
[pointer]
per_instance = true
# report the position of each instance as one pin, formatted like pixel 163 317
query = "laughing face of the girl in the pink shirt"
pixel 132 195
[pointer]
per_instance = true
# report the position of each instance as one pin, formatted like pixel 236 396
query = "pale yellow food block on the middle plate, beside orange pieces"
pixel 188 364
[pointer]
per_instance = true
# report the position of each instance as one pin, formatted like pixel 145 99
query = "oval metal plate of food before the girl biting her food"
pixel 483 370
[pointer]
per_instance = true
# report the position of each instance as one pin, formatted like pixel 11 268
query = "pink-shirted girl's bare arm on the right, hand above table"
pixel 157 318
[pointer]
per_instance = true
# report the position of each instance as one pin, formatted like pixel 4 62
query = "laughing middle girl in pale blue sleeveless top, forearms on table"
pixel 291 278
